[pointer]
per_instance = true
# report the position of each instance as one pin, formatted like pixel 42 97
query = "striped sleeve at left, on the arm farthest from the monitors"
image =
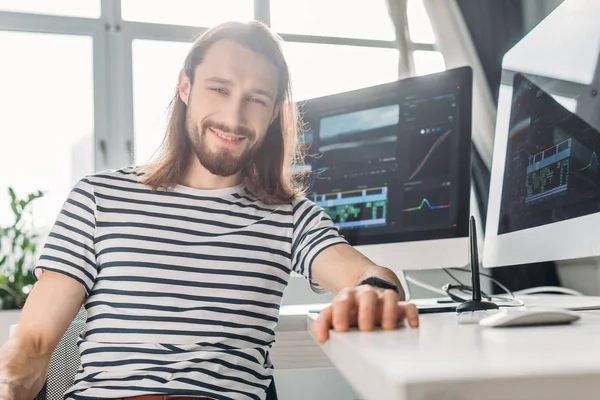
pixel 69 248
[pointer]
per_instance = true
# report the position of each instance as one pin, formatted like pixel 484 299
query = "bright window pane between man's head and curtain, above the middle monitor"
pixel 322 69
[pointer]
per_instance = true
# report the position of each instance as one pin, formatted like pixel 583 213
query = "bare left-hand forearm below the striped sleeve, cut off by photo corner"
pixel 24 359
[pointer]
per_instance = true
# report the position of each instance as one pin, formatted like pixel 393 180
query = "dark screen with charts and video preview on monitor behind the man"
pixel 389 160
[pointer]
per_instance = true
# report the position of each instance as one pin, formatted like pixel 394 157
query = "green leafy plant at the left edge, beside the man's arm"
pixel 18 247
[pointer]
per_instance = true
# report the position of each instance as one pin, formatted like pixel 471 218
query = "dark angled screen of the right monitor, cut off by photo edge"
pixel 552 171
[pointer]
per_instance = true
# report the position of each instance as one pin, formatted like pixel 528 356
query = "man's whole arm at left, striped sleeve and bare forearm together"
pixel 68 262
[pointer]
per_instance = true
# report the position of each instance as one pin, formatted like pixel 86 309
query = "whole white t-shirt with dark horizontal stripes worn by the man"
pixel 183 286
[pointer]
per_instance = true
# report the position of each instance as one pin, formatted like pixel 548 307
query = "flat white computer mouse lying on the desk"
pixel 527 316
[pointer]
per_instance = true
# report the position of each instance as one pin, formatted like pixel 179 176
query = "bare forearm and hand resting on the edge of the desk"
pixel 339 269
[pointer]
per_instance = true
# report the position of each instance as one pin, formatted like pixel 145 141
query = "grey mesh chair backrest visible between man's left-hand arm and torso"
pixel 65 362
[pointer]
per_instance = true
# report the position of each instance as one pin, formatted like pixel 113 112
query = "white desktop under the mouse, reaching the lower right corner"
pixel 446 360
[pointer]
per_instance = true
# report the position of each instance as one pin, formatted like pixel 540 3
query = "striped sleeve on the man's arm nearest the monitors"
pixel 314 231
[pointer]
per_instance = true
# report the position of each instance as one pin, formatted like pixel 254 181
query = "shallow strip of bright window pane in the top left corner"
pixel 69 8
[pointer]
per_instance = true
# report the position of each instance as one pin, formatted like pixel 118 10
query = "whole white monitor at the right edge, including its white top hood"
pixel 544 201
